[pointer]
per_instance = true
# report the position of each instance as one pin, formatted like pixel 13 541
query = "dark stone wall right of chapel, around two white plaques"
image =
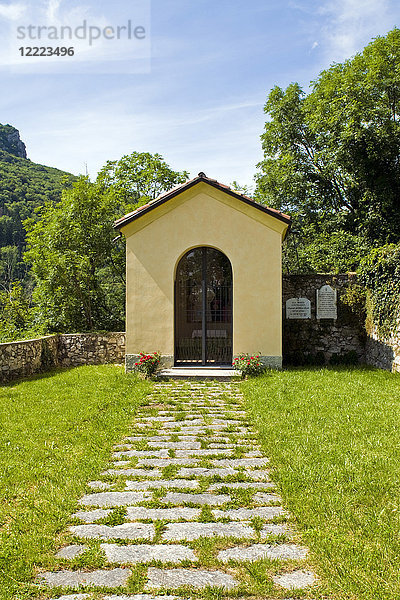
pixel 312 339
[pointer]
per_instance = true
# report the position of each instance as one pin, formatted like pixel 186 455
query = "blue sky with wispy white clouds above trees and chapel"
pixel 201 102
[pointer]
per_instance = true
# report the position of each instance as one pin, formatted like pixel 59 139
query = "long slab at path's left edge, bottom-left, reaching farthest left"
pixel 74 579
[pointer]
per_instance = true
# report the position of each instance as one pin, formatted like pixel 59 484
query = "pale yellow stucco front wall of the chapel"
pixel 204 216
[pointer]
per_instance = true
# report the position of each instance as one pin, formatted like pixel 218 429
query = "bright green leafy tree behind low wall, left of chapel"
pixel 73 258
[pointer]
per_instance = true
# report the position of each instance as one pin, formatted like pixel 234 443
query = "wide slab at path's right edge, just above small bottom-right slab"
pixel 257 551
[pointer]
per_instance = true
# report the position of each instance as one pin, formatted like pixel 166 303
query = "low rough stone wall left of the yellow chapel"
pixel 27 357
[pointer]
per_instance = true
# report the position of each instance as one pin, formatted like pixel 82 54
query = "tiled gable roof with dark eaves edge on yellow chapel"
pixel 201 178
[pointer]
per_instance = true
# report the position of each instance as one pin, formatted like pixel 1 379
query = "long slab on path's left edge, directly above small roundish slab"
pixel 126 531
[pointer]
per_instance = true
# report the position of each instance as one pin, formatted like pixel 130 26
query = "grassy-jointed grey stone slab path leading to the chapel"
pixel 186 505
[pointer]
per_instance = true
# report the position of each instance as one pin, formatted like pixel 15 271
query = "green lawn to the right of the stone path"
pixel 333 439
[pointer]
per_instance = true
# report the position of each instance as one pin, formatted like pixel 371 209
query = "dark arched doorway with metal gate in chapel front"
pixel 203 308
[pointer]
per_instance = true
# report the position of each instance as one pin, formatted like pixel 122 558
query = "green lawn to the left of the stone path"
pixel 56 434
